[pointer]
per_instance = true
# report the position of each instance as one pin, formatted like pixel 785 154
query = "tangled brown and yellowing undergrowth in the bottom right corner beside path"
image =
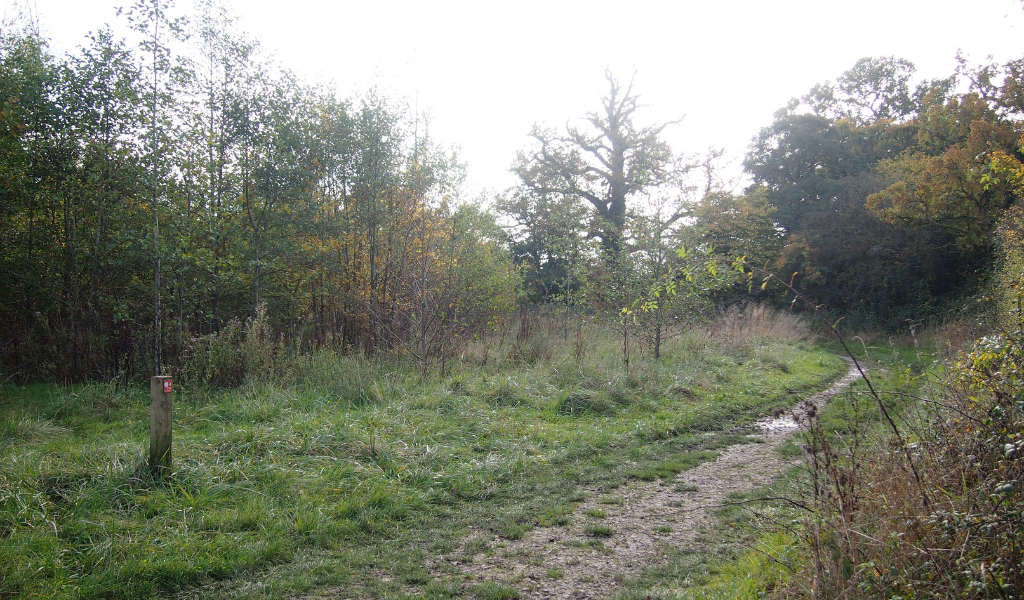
pixel 936 511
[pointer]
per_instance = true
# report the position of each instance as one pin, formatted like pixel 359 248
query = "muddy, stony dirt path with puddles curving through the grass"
pixel 571 563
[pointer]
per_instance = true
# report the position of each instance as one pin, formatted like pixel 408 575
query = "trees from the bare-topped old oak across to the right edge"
pixel 878 195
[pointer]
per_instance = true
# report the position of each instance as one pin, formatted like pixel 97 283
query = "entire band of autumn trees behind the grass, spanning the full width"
pixel 157 197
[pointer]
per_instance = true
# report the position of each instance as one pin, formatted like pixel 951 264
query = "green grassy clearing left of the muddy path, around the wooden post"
pixel 356 473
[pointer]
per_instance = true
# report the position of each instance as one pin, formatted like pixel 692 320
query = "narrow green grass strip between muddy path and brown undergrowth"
pixel 760 549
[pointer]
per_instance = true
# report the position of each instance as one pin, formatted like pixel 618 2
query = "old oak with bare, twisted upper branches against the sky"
pixel 607 163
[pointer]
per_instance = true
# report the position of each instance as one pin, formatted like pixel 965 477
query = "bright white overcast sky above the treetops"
pixel 487 71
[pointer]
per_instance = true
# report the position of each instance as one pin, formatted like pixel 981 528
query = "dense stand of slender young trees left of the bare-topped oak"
pixel 126 176
